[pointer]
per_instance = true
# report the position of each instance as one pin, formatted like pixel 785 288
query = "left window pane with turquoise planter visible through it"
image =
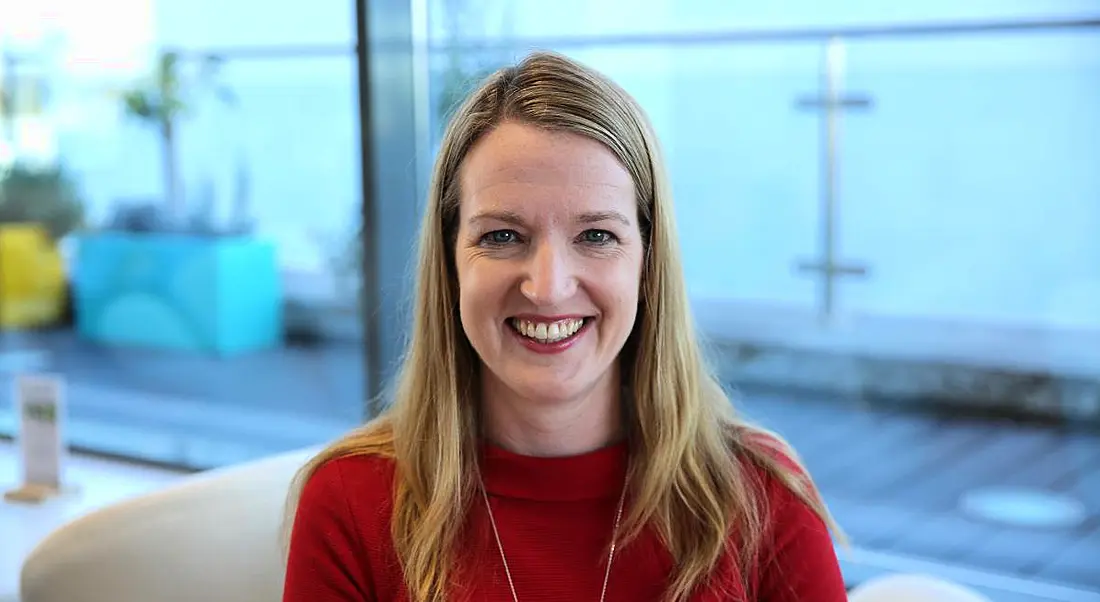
pixel 207 309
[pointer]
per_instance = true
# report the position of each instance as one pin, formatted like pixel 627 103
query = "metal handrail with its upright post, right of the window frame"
pixel 832 103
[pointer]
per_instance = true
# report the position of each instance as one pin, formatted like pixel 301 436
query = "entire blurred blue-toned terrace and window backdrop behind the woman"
pixel 890 218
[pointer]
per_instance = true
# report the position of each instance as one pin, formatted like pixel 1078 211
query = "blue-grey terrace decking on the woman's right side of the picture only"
pixel 896 481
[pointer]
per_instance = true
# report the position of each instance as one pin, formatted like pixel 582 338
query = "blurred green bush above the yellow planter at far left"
pixel 48 196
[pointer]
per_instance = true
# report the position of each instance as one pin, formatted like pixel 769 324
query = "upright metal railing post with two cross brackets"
pixel 833 103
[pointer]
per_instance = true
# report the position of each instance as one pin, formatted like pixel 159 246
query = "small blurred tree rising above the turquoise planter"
pixel 168 97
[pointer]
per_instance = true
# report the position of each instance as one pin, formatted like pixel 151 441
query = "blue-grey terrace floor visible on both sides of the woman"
pixel 894 479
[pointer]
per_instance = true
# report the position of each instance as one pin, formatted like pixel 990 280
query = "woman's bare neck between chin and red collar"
pixel 558 429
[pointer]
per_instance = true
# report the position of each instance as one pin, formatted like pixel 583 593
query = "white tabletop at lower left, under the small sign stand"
pixel 96 483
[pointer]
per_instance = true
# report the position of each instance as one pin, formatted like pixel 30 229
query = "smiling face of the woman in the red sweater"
pixel 549 259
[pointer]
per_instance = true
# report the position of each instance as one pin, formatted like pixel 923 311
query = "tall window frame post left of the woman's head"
pixel 387 70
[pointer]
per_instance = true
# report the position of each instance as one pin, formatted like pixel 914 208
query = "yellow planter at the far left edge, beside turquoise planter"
pixel 32 278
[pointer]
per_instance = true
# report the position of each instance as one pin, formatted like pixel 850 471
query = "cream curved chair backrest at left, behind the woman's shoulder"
pixel 214 538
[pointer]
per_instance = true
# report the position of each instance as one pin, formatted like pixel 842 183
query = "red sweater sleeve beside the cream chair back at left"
pixel 327 562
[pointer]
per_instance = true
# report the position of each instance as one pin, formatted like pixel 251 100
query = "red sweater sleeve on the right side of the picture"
pixel 801 563
